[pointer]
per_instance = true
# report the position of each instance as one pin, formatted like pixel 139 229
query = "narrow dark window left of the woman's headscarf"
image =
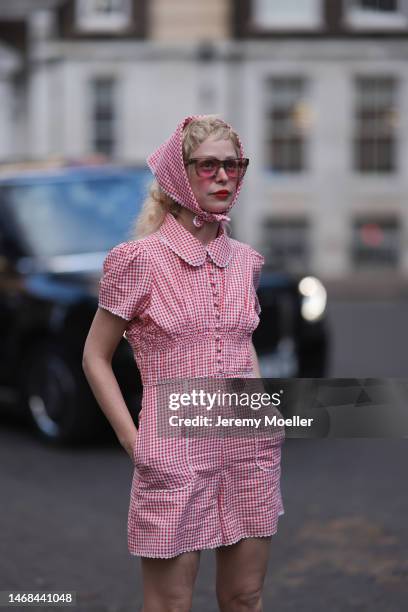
pixel 104 116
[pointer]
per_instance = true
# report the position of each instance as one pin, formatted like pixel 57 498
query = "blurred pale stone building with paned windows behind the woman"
pixel 318 90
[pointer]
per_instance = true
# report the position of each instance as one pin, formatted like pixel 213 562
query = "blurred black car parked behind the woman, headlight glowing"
pixel 56 226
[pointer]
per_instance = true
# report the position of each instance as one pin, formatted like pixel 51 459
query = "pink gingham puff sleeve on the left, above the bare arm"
pixel 124 288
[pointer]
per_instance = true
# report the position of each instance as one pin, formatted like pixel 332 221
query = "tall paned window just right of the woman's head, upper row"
pixel 287 120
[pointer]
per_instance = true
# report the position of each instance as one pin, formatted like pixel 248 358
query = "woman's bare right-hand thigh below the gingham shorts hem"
pixel 241 567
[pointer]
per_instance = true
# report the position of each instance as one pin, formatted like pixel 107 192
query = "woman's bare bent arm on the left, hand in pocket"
pixel 103 338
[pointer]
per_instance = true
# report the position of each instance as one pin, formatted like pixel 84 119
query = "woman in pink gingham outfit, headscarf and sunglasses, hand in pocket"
pixel 184 296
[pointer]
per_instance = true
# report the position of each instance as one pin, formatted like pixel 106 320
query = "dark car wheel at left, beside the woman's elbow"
pixel 56 399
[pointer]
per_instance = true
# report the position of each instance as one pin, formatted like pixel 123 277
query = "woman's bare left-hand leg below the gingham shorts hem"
pixel 168 583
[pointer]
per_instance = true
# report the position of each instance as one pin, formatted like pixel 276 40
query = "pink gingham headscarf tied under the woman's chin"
pixel 167 165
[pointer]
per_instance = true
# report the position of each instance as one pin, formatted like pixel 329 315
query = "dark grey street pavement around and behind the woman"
pixel 341 544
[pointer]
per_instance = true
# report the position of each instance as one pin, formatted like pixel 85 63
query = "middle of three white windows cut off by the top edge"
pixel 289 14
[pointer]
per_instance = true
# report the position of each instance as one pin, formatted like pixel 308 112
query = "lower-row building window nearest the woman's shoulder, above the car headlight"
pixel 286 244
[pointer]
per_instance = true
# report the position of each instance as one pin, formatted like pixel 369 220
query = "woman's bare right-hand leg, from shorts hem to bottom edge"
pixel 240 574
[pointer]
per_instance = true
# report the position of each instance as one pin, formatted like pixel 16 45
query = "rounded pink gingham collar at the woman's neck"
pixel 189 248
